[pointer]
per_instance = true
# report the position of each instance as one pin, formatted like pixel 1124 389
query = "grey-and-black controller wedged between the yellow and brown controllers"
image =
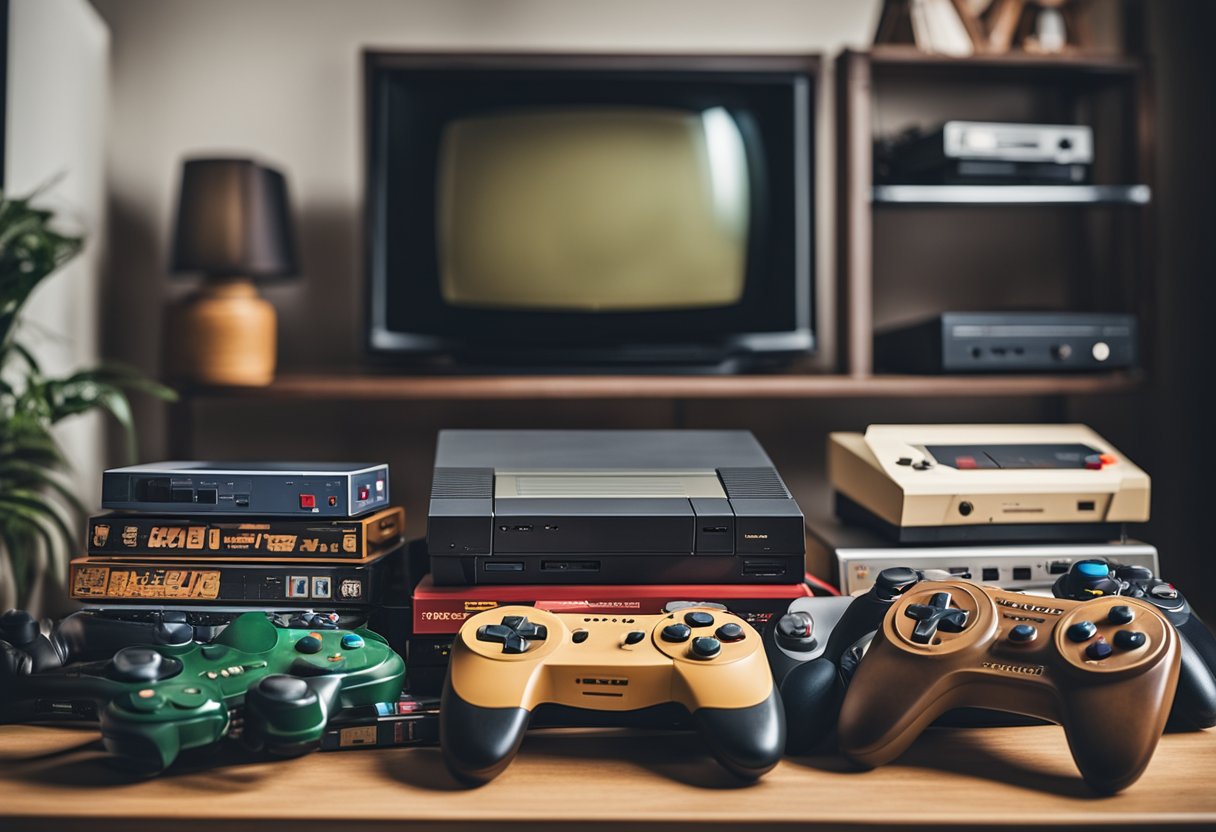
pixel 807 647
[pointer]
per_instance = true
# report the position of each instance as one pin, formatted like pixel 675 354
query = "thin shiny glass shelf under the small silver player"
pixel 1011 195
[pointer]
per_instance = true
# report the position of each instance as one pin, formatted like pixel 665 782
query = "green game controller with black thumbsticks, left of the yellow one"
pixel 286 684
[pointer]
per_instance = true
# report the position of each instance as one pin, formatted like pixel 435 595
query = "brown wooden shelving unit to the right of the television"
pixel 892 88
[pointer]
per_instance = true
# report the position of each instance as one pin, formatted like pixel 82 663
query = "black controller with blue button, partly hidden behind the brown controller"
pixel 1195 704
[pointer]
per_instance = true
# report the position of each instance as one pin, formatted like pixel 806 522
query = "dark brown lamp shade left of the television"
pixel 234 221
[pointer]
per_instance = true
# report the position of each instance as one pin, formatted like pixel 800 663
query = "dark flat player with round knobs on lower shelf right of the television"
pixel 1010 342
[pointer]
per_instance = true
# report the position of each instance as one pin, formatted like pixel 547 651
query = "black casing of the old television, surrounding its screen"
pixel 409 97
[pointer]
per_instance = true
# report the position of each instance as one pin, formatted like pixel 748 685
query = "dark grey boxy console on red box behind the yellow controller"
pixel 611 508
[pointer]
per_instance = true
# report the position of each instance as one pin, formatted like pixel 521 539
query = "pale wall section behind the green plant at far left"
pixel 57 123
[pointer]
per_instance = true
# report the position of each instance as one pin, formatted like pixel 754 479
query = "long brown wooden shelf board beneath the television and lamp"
pixel 412 389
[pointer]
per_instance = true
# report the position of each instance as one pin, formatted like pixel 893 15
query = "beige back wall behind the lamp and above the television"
pixel 282 80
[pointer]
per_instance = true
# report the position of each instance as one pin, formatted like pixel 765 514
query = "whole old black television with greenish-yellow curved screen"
pixel 583 210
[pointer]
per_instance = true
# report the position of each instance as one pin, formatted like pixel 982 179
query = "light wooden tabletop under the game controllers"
pixel 57 779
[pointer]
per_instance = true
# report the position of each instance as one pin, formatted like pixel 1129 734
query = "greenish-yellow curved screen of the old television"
pixel 593 210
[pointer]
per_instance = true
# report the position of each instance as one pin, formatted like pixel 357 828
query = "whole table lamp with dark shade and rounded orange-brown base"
pixel 234 226
